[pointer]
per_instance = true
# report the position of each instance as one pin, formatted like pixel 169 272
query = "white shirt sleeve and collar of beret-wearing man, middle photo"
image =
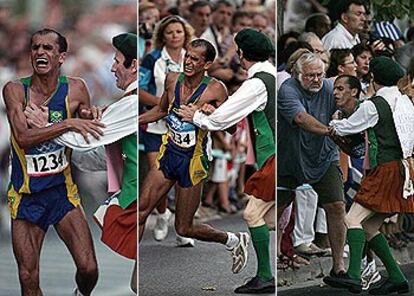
pixel 251 96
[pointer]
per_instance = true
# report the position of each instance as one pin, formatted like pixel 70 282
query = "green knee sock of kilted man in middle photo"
pixel 261 239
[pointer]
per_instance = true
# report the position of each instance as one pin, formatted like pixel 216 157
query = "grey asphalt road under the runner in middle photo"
pixel 200 271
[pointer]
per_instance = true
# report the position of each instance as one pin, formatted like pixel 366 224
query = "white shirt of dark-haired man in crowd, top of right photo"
pixel 339 37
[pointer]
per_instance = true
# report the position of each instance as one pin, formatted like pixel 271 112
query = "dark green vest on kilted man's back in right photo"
pixel 384 145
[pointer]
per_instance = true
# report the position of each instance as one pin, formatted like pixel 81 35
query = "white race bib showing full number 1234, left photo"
pixel 49 163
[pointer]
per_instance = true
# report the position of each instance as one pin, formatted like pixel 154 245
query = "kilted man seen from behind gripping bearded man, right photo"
pixel 387 188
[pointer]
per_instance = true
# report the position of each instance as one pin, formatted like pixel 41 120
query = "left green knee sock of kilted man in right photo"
pixel 356 241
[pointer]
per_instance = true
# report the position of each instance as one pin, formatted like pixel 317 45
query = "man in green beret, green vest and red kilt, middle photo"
pixel 254 99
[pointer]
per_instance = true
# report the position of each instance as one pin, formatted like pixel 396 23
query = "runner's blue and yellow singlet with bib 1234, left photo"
pixel 47 164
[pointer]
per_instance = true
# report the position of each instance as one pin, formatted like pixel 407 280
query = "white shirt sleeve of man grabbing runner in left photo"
pixel 120 118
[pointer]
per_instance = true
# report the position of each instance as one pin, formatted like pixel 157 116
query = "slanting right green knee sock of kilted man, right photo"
pixel 380 246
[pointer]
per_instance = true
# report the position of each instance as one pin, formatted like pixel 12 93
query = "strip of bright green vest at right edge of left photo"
pixel 129 175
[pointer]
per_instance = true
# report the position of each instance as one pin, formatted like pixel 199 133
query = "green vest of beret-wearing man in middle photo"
pixel 262 123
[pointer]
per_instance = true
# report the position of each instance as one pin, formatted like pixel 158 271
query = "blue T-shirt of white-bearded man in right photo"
pixel 301 154
